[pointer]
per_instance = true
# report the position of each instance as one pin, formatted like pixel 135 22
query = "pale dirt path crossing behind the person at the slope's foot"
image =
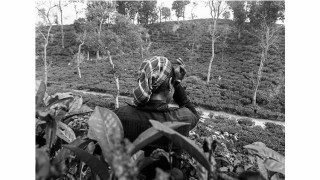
pixel 206 112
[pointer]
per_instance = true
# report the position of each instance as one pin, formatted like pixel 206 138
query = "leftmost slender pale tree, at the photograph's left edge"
pixel 46 12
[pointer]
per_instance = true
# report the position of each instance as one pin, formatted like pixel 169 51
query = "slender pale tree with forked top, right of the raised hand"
pixel 217 8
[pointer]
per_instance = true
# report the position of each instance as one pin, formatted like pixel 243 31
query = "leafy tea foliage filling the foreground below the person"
pixel 226 155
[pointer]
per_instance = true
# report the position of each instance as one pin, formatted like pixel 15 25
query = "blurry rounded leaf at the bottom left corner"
pixel 42 164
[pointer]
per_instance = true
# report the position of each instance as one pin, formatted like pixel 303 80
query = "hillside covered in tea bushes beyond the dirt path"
pixel 236 67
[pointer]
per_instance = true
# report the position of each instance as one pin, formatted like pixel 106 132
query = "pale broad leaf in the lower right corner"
pixel 264 152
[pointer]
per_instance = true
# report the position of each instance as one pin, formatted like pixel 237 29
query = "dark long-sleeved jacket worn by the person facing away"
pixel 135 119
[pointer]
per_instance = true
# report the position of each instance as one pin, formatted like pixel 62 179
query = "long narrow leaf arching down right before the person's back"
pixel 183 142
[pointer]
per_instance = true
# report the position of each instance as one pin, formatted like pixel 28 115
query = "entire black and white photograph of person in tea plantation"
pixel 159 90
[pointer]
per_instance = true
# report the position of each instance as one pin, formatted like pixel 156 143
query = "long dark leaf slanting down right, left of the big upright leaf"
pixel 94 163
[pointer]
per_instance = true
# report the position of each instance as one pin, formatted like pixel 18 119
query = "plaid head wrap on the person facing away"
pixel 152 73
